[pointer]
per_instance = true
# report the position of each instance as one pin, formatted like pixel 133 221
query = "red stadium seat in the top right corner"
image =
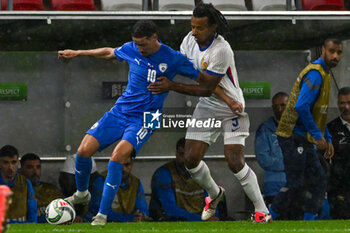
pixel 323 5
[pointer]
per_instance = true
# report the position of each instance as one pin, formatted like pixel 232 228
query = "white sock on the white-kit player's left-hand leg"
pixel 201 175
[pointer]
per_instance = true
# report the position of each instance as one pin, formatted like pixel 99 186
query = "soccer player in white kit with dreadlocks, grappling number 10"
pixel 212 54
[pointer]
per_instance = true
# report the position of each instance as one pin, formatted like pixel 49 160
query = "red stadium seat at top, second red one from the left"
pixel 72 5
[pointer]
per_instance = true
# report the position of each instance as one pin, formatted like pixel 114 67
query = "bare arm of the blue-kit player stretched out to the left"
pixel 105 53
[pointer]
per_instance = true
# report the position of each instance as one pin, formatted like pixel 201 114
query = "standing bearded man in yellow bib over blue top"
pixel 302 133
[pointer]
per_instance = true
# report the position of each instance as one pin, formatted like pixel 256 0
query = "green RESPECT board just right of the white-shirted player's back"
pixel 255 90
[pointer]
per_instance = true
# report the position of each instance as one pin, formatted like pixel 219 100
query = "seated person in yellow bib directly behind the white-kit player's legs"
pixel 175 196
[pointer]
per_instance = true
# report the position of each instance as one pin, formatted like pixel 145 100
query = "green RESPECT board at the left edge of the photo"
pixel 13 91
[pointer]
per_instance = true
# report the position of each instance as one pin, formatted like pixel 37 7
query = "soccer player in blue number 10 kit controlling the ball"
pixel 148 59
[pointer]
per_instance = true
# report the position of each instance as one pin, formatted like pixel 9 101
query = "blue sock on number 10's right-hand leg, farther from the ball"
pixel 111 186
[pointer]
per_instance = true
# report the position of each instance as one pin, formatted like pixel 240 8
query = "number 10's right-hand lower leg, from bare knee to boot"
pixel 121 153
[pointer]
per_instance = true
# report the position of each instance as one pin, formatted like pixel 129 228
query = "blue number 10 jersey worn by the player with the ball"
pixel 167 62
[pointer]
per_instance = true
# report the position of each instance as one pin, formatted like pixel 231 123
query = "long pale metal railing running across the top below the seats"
pixel 176 15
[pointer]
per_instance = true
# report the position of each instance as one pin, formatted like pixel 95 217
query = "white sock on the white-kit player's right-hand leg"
pixel 250 186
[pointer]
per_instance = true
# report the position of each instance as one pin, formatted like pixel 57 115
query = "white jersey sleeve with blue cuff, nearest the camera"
pixel 219 61
